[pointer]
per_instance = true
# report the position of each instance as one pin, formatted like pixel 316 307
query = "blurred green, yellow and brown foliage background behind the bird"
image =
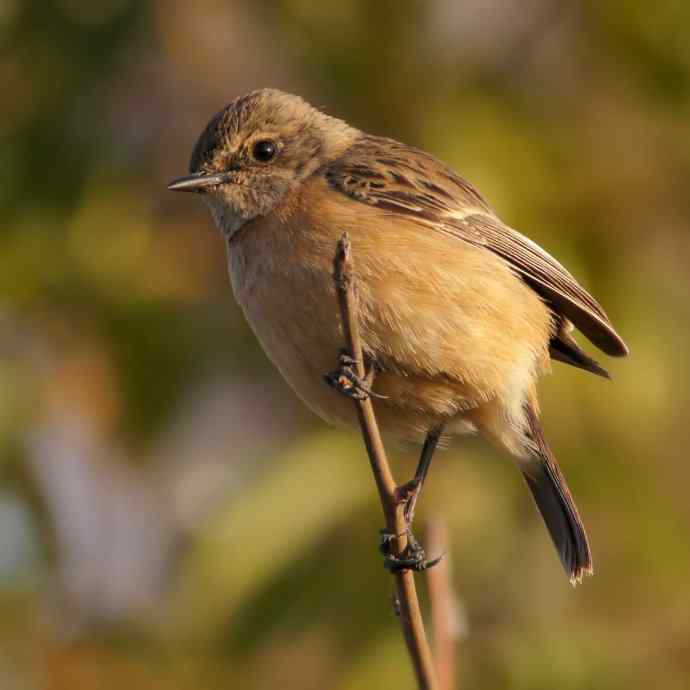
pixel 170 517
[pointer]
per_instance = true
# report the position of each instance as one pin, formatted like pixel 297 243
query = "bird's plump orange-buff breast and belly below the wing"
pixel 460 337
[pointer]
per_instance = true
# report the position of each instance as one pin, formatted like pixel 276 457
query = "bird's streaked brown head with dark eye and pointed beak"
pixel 256 151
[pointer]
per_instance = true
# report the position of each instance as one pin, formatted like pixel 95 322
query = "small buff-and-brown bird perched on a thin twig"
pixel 459 313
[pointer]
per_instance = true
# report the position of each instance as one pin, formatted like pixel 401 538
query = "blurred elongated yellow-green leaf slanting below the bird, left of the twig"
pixel 306 493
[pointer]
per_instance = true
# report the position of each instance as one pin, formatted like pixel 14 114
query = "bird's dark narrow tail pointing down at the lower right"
pixel 556 505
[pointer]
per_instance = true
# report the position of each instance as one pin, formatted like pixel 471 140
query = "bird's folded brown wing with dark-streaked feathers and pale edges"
pixel 403 180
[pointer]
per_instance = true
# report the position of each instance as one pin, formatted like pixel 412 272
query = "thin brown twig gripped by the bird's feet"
pixel 409 610
